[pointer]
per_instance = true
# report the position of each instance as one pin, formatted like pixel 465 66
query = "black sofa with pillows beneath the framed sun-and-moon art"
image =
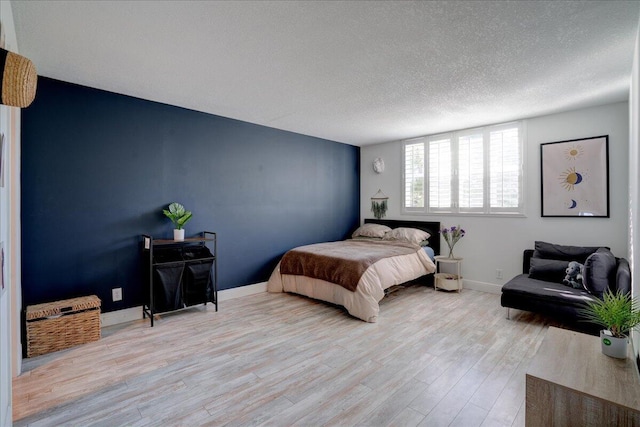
pixel 543 293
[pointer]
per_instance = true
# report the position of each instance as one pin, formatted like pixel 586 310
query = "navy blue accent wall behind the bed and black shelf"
pixel 98 167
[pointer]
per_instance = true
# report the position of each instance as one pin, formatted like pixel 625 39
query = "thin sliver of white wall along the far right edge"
pixel 634 181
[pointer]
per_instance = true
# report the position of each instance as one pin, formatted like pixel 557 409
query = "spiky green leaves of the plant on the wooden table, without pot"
pixel 619 313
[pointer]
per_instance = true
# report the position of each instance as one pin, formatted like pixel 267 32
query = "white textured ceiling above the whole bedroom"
pixel 352 71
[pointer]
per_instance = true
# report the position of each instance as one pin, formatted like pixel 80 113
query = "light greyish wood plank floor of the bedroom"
pixel 434 358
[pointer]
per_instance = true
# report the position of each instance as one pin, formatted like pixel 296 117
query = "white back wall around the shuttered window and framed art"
pixel 496 242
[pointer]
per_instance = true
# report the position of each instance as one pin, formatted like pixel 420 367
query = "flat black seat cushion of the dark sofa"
pixel 527 289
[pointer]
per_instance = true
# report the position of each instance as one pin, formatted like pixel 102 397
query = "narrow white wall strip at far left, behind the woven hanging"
pixel 10 348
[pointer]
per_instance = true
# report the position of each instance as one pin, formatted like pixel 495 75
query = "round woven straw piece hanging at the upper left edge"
pixel 18 79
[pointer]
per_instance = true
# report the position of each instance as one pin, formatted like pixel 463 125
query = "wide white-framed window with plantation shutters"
pixel 476 171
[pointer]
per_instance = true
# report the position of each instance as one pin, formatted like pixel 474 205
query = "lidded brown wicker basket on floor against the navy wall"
pixel 62 324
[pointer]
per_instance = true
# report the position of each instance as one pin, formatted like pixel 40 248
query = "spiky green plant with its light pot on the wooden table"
pixel 618 313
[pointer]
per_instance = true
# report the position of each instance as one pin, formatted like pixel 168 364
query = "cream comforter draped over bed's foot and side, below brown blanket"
pixel 363 303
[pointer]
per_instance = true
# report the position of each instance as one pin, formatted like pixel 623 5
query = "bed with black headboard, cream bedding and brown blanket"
pixel 355 273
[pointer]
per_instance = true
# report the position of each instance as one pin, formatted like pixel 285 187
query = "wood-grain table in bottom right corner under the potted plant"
pixel 570 382
